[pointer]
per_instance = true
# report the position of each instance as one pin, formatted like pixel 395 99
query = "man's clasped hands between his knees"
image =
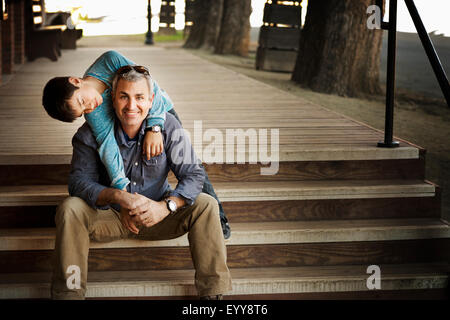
pixel 150 213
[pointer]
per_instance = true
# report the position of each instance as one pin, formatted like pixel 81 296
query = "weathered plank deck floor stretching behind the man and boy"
pixel 222 99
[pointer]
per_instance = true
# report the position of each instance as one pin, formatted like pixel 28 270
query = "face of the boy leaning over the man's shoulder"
pixel 84 99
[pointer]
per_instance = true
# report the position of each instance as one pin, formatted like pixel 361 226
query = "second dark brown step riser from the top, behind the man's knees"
pixel 271 210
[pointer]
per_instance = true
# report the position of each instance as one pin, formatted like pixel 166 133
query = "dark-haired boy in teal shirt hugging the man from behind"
pixel 67 98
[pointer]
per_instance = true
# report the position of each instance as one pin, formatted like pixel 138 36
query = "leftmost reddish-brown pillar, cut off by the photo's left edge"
pixel 8 41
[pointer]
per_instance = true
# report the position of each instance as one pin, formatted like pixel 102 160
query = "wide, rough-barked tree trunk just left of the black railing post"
pixel 338 54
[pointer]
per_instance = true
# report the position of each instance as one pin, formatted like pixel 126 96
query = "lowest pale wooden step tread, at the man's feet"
pixel 245 281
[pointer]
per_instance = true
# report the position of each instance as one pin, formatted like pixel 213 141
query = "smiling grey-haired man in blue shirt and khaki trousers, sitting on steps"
pixel 150 210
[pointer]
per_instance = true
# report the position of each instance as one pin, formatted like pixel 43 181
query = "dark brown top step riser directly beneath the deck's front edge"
pixel 13 175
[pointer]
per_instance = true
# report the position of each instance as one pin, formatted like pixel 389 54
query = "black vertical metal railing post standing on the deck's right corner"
pixel 390 78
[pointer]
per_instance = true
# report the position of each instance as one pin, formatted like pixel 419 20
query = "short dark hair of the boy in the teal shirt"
pixel 54 99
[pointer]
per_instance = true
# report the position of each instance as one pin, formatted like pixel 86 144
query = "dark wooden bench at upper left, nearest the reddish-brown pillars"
pixel 41 40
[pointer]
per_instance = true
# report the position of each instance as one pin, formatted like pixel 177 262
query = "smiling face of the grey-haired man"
pixel 132 102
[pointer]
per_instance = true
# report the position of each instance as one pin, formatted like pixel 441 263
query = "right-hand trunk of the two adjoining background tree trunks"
pixel 234 36
